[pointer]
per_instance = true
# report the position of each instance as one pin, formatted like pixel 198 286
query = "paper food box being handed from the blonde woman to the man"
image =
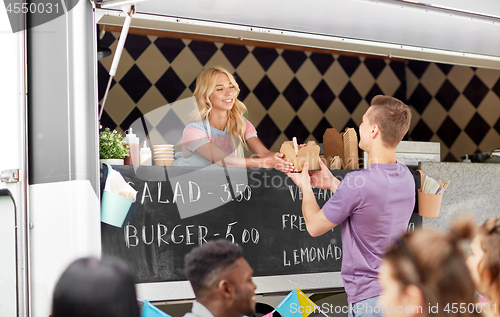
pixel 308 153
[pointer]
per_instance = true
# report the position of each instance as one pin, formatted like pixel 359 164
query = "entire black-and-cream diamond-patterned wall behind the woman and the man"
pixel 300 93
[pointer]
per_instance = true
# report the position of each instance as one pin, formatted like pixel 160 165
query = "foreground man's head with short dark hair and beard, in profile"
pixel 221 279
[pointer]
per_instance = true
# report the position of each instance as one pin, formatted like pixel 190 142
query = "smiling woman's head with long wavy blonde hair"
pixel 213 85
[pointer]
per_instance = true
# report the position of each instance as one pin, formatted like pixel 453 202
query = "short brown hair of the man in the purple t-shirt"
pixel 392 117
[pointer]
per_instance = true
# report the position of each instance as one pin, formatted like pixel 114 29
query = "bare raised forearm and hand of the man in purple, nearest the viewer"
pixel 316 222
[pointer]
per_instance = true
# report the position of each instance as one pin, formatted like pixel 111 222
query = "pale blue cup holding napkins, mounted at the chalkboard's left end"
pixel 114 208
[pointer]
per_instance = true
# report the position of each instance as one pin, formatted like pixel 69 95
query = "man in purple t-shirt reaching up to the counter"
pixel 373 205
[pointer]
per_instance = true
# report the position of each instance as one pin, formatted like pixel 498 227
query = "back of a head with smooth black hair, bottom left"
pixel 93 288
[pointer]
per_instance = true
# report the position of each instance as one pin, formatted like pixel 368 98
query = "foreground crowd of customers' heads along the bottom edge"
pixel 422 273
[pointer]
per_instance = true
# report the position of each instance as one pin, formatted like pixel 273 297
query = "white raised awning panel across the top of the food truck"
pixel 388 28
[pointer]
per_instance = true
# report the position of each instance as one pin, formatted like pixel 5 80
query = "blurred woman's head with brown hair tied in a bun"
pixel 424 271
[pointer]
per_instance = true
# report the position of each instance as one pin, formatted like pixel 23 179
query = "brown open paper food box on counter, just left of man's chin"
pixel 341 149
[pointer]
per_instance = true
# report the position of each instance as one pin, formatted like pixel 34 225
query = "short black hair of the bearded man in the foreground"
pixel 204 264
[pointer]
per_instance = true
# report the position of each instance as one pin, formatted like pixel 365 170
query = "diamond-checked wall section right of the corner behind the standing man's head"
pixel 458 106
